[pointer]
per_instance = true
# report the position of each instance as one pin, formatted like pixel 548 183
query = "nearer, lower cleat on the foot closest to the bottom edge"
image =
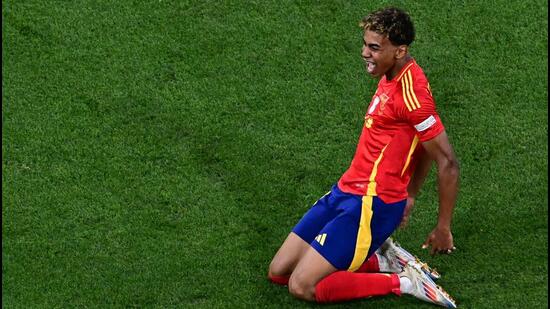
pixel 424 288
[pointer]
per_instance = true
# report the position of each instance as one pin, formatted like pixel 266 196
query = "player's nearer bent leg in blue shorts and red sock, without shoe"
pixel 325 273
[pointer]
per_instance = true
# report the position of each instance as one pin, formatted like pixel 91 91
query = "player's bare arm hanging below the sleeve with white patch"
pixel 440 150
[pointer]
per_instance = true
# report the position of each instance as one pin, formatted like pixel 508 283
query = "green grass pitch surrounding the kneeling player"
pixel 157 153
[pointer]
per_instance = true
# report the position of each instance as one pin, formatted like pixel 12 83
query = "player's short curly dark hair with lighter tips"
pixel 392 22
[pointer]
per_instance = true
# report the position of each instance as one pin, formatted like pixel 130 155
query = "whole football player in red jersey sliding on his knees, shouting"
pixel 333 253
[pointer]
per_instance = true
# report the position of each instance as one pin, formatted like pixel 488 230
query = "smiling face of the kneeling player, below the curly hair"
pixel 379 54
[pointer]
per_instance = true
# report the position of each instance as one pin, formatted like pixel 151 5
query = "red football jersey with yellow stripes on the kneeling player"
pixel 400 116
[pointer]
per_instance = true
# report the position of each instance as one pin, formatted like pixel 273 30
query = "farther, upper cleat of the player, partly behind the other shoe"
pixel 399 257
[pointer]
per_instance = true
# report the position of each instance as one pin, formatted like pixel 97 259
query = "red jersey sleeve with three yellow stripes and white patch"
pixel 419 109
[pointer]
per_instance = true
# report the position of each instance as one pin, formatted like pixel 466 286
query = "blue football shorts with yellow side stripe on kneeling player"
pixel 346 228
